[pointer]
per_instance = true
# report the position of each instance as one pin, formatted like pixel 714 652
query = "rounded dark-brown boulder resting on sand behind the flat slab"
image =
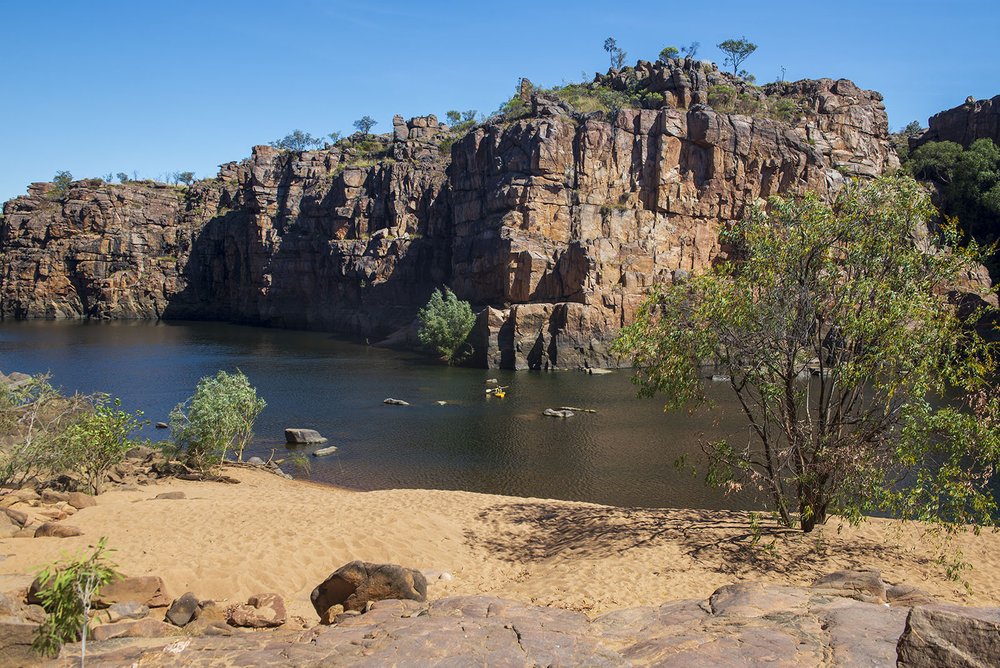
pixel 355 584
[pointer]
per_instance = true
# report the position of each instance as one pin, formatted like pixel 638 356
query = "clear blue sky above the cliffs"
pixel 155 87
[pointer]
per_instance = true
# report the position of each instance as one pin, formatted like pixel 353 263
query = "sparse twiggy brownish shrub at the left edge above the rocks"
pixel 33 417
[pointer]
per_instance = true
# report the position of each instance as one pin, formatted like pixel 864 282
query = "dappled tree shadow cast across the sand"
pixel 725 541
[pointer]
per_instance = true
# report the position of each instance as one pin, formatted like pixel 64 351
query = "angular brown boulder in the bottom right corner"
pixel 949 635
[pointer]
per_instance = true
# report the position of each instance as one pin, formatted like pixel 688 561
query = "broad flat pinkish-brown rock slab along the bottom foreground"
pixel 744 625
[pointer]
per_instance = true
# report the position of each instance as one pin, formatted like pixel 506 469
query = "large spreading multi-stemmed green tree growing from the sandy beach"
pixel 863 388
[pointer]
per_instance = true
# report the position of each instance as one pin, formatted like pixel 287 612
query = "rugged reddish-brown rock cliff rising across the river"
pixel 553 225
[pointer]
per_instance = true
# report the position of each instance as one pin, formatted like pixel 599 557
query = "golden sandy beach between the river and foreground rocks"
pixel 227 542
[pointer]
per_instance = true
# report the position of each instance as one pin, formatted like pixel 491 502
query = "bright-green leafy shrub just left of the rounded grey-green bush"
pixel 98 441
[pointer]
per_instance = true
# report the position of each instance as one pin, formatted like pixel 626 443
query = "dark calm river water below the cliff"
pixel 622 455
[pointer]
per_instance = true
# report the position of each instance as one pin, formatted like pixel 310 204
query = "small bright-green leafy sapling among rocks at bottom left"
pixel 66 595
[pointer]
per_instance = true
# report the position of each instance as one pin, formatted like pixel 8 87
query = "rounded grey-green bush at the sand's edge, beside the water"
pixel 218 416
